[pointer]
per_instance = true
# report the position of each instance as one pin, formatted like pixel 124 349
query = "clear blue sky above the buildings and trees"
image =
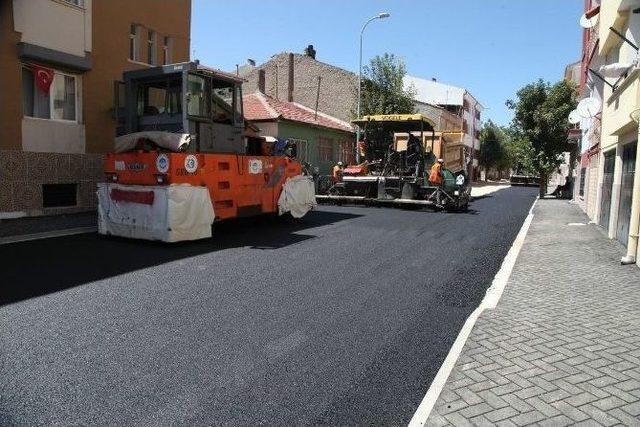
pixel 490 47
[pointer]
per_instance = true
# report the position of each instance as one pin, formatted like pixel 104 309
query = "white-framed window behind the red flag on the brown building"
pixel 59 104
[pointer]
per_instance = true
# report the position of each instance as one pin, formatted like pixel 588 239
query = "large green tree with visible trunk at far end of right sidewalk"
pixel 540 125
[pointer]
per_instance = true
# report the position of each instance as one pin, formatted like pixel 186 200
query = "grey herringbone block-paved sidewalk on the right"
pixel 563 345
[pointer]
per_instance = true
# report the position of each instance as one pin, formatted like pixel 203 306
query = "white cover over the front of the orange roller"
pixel 178 212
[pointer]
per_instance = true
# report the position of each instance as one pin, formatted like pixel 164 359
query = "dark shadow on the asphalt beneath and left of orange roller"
pixel 35 268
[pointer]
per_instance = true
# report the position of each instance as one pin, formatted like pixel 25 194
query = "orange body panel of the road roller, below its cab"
pixel 239 185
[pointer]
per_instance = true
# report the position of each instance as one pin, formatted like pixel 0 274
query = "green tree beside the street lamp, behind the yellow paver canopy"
pixel 383 91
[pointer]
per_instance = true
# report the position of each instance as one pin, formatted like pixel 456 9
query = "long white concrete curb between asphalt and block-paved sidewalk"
pixel 490 301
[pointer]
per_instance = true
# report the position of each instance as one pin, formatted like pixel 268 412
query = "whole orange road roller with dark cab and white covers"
pixel 186 159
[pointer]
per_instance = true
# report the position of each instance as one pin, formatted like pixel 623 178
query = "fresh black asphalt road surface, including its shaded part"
pixel 341 318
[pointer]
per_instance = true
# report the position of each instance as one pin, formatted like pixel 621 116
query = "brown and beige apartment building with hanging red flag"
pixel 61 61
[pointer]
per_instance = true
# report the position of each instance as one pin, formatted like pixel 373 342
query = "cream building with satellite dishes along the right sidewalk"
pixel 614 42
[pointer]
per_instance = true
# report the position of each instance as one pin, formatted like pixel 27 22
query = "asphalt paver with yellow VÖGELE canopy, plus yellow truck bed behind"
pixel 398 152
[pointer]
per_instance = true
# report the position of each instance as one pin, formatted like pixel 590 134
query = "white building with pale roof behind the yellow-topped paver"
pixel 461 103
